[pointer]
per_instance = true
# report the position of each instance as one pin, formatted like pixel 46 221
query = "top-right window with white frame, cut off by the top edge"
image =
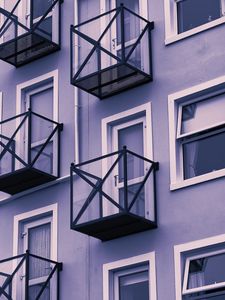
pixel 187 17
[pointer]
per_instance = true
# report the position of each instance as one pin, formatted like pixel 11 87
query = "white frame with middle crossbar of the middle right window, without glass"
pixel 175 100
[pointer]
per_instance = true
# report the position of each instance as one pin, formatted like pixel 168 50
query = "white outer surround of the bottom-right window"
pixel 194 245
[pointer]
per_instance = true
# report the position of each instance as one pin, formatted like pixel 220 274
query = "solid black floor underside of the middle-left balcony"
pixel 23 179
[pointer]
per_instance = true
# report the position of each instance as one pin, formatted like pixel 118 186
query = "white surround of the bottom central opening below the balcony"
pixel 128 262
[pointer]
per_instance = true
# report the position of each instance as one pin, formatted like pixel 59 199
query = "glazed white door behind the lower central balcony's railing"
pixel 132 135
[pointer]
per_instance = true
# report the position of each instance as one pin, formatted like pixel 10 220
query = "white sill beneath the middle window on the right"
pixel 199 179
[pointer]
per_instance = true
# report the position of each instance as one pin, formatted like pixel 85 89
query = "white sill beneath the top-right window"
pixel 176 37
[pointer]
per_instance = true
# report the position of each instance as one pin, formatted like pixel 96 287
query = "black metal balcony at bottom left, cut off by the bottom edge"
pixel 29 276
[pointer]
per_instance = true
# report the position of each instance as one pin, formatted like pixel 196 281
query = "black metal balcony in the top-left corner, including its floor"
pixel 29 33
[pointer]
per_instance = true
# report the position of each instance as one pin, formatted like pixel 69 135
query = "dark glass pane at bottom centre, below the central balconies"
pixel 134 286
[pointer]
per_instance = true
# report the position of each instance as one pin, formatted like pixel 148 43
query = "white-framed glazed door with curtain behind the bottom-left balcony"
pixel 36 231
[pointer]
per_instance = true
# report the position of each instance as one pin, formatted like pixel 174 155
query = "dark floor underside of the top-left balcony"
pixel 26 48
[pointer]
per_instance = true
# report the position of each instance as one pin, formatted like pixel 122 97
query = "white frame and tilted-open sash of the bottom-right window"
pixel 179 252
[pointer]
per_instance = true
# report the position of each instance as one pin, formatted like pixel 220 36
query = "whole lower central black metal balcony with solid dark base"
pixel 113 195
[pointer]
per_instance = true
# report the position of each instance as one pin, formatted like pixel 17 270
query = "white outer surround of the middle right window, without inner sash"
pixel 176 180
